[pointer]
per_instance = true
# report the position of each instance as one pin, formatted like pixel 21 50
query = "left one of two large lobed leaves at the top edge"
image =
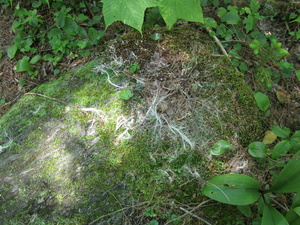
pixel 130 12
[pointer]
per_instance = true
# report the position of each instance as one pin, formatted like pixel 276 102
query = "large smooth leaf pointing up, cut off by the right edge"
pixel 288 180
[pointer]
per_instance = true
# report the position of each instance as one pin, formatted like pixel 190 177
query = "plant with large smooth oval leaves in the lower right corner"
pixel 243 190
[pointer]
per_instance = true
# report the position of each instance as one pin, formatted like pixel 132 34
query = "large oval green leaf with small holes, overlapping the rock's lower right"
pixel 234 189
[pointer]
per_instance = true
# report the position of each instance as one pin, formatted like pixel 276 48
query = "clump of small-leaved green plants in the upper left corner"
pixel 66 36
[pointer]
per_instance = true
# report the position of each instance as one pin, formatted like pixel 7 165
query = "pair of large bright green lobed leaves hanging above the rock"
pixel 131 12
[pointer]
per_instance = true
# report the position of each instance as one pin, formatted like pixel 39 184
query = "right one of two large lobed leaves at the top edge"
pixel 172 10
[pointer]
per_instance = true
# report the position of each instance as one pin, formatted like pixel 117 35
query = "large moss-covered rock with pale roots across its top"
pixel 76 153
